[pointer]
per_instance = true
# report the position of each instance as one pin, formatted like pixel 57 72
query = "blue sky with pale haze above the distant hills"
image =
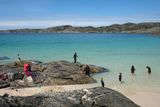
pixel 48 13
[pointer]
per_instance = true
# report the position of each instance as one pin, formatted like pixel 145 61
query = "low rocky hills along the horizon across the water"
pixel 148 27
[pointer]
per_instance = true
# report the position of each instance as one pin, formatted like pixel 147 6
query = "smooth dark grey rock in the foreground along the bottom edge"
pixel 94 97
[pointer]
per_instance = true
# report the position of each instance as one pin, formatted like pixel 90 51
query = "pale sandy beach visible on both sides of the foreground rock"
pixel 142 98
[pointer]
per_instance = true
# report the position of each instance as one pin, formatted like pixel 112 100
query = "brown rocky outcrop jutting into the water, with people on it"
pixel 52 73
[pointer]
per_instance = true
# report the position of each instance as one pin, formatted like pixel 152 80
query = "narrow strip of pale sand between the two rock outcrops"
pixel 36 90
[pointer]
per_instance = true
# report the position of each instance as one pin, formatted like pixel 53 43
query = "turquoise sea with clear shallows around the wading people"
pixel 117 52
